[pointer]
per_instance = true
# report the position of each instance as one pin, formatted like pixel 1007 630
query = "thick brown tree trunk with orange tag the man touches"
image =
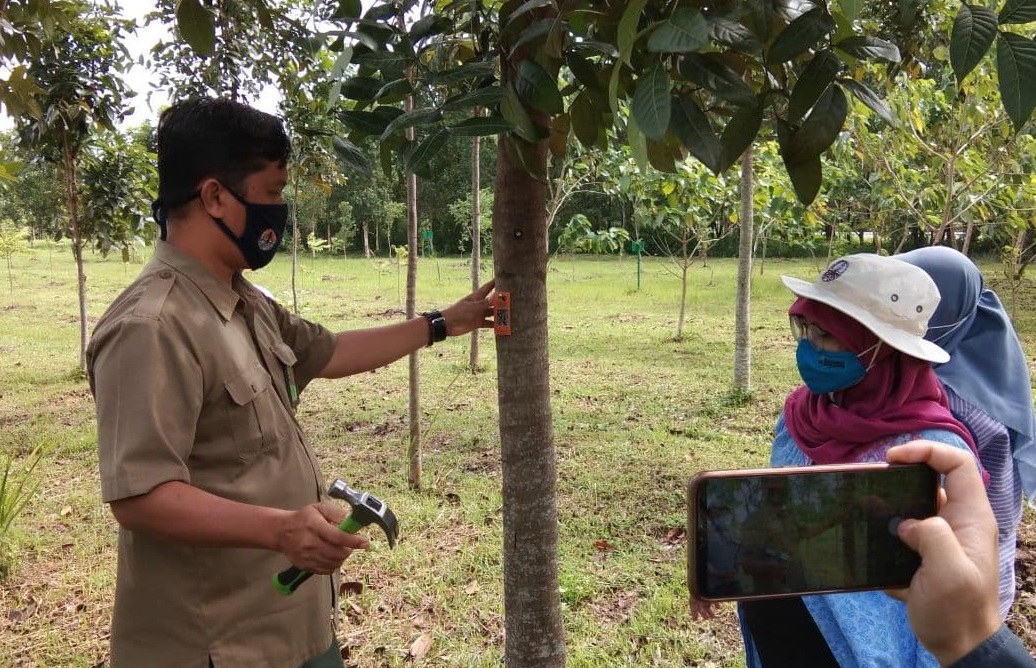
pixel 532 603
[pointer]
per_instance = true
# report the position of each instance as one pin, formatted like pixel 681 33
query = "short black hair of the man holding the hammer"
pixel 222 139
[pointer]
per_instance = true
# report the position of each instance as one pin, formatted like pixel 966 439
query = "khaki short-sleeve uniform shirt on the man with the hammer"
pixel 196 382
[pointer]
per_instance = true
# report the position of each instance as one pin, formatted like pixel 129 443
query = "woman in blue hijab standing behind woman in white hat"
pixel 987 383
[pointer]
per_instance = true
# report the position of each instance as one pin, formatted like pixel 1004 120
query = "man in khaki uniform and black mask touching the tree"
pixel 196 377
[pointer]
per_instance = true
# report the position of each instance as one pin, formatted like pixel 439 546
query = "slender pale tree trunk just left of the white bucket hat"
pixel 742 322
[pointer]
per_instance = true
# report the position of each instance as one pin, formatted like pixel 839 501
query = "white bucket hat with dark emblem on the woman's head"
pixel 893 299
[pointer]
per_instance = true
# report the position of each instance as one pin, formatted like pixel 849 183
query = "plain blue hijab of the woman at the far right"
pixel 988 367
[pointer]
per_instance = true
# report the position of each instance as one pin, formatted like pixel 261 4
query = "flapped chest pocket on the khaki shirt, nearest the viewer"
pixel 251 415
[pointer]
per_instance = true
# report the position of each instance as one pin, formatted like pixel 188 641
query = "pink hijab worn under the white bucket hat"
pixel 900 395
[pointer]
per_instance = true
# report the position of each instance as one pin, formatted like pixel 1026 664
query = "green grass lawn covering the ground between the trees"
pixel 636 413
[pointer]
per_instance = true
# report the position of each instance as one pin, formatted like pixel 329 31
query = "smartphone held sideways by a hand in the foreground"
pixel 766 534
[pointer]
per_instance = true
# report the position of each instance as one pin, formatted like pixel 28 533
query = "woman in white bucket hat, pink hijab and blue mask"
pixel 869 387
